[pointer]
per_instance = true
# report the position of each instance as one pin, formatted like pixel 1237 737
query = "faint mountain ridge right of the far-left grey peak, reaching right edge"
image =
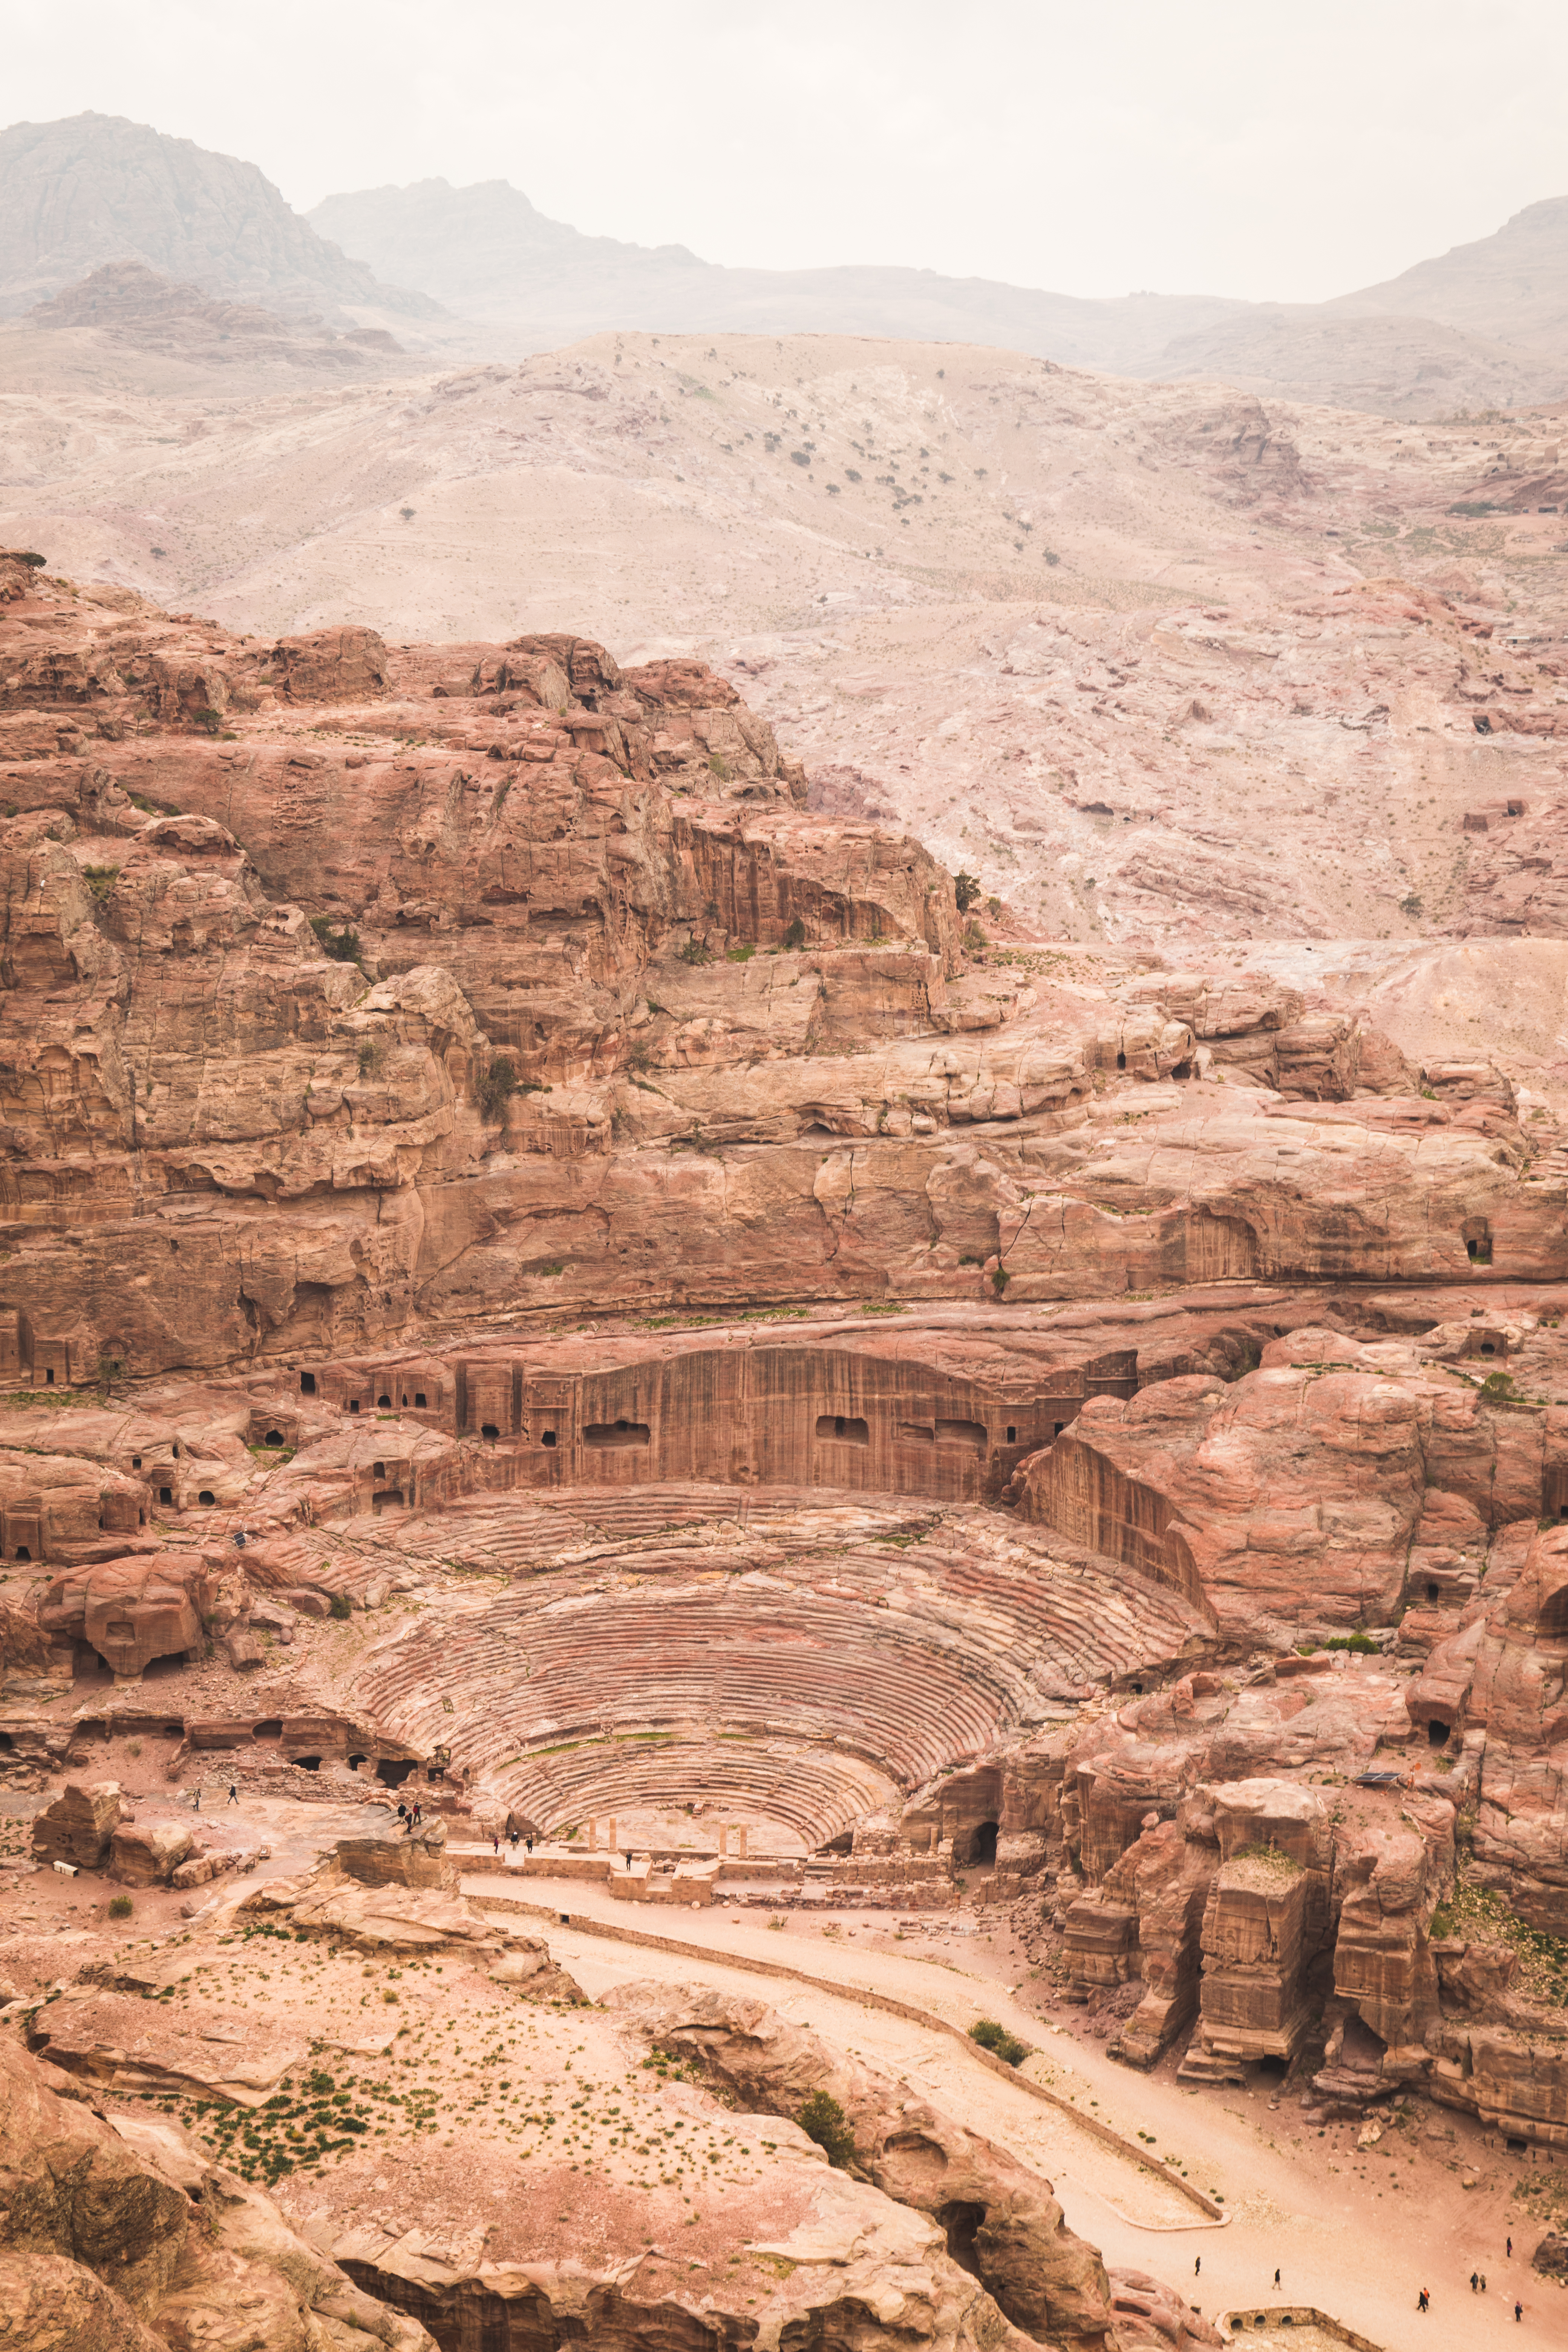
pixel 1485 326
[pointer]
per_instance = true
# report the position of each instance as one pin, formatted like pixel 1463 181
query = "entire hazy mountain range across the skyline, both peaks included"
pixel 483 272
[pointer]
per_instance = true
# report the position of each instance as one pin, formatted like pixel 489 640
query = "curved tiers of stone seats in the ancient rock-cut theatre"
pixel 810 1666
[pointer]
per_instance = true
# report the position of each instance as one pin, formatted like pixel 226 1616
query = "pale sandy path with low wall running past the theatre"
pixel 1304 2212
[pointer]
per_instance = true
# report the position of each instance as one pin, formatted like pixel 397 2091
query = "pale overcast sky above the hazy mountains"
pixel 1224 147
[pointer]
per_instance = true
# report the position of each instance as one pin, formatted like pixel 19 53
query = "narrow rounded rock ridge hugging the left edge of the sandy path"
pixel 1000 2219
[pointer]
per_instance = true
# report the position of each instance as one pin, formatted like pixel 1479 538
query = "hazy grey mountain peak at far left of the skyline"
pixel 100 189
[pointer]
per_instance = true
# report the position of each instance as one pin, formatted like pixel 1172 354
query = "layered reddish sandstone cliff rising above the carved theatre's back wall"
pixel 356 991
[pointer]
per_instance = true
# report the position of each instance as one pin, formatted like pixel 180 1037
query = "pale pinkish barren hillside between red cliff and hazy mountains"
pixel 1153 662
